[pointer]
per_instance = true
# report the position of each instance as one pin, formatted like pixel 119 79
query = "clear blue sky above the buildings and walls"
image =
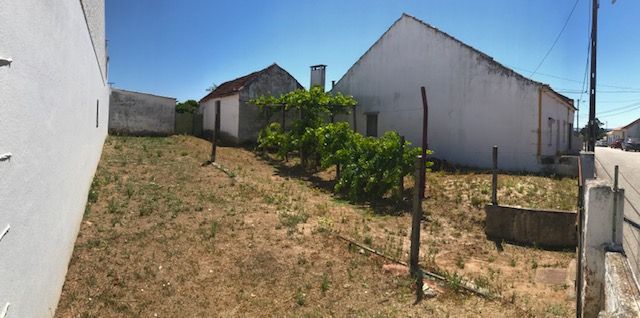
pixel 178 48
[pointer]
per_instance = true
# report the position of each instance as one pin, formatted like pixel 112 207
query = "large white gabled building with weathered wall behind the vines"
pixel 474 101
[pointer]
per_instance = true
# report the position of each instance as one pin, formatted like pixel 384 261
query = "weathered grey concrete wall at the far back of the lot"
pixel 140 114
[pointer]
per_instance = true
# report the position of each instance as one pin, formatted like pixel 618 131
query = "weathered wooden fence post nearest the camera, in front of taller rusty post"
pixel 415 231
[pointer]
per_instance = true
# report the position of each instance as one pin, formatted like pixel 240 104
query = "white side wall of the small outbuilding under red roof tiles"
pixel 229 115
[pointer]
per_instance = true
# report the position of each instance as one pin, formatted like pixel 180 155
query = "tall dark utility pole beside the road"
pixel 592 82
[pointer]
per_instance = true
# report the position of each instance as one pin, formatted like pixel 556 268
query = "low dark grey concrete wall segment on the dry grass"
pixel 530 226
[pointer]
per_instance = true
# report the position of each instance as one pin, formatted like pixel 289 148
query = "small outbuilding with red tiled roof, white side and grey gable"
pixel 241 121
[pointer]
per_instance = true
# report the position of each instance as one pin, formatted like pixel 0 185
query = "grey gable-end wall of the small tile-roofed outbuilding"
pixel 274 81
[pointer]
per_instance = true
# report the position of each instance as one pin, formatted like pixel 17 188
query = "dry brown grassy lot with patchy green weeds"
pixel 164 234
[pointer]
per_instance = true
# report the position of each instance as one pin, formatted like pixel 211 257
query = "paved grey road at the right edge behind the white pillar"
pixel 629 180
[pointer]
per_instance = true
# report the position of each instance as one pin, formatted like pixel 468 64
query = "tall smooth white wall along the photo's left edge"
pixel 49 98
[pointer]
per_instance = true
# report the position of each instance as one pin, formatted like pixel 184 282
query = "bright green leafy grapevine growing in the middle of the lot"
pixel 370 167
